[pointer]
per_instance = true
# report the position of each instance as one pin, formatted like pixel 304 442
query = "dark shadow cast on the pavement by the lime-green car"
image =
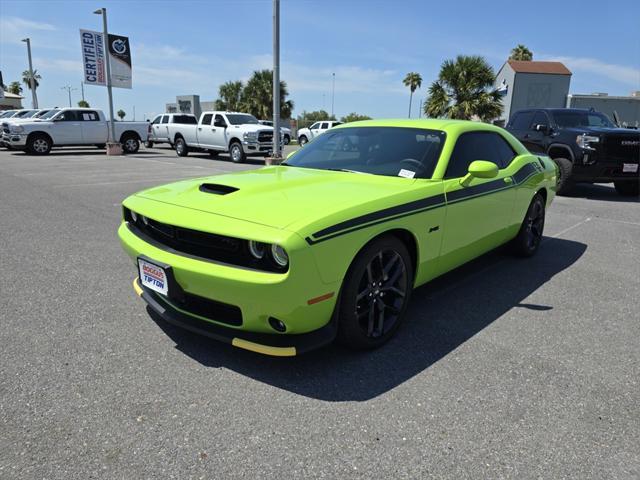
pixel 443 314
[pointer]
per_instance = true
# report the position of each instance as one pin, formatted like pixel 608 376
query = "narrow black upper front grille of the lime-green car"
pixel 204 245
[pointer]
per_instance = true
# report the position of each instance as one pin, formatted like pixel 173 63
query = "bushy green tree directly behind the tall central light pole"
pixel 257 96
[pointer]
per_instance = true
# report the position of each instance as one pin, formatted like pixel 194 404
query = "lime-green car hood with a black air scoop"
pixel 279 196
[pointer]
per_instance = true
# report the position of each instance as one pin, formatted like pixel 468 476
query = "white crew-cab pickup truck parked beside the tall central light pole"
pixel 240 134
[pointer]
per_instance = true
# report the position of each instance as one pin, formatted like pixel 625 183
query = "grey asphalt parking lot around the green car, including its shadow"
pixel 506 368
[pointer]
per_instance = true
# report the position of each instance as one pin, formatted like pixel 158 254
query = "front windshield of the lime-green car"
pixel 388 151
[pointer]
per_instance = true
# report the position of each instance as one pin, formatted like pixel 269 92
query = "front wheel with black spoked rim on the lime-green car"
pixel 358 318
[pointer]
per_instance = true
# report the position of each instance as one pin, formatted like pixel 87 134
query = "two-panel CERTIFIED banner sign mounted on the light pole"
pixel 94 55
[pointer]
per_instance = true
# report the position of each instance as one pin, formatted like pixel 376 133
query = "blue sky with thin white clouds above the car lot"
pixel 185 47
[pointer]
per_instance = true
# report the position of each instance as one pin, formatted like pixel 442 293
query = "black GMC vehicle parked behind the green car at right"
pixel 585 144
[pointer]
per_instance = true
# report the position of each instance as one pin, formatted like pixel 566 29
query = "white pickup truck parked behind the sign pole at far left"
pixel 71 126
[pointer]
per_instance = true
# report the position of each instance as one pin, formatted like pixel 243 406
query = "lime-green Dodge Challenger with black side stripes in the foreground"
pixel 330 244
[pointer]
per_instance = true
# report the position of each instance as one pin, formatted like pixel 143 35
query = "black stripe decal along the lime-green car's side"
pixel 422 205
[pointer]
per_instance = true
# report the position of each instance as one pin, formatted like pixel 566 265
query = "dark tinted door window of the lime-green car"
pixel 478 146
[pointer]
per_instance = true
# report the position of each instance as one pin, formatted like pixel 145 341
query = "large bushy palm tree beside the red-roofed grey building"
pixel 464 90
